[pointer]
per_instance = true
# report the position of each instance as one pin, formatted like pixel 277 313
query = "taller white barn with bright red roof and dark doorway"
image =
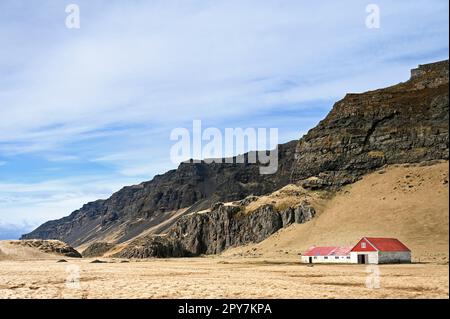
pixel 372 250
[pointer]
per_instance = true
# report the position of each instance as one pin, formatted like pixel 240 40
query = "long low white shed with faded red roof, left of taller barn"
pixel 330 254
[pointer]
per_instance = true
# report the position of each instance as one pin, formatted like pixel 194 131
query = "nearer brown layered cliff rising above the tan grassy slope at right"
pixel 405 123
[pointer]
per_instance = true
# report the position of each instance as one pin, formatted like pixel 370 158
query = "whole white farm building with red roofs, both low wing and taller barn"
pixel 369 250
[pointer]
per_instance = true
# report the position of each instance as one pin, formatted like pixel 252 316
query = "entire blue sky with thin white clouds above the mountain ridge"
pixel 85 111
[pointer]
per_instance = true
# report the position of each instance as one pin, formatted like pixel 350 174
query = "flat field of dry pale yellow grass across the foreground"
pixel 217 277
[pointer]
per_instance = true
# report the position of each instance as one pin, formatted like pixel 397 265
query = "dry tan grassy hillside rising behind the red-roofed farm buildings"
pixel 409 202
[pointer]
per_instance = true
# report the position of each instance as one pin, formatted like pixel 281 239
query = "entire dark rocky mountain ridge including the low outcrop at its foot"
pixel 404 123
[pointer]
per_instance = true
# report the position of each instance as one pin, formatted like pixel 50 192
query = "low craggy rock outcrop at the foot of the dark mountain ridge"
pixel 213 232
